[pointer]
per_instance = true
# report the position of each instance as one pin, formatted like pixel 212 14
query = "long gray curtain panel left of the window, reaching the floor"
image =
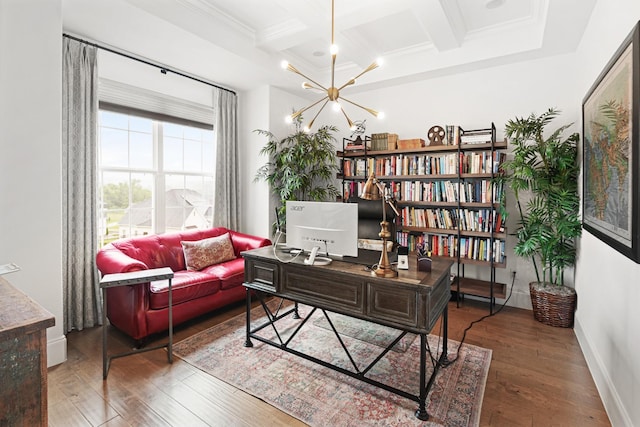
pixel 82 306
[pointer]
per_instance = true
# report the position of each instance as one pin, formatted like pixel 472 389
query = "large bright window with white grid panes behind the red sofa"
pixel 154 176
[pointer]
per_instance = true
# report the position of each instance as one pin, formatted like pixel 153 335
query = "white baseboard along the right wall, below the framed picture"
pixel 618 416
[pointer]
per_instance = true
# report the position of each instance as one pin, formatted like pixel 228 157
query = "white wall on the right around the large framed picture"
pixel 608 284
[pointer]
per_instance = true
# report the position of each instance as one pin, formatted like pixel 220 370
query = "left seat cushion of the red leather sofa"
pixel 185 286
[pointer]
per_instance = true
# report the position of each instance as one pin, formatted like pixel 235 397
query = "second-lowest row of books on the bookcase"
pixel 482 220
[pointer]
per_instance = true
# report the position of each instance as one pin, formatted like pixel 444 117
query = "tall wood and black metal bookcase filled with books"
pixel 448 199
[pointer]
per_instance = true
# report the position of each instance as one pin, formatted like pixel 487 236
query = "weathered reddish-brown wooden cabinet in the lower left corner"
pixel 23 358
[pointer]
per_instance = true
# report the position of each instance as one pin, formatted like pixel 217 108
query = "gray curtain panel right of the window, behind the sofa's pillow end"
pixel 226 200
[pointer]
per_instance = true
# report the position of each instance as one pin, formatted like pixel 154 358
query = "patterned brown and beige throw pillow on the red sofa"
pixel 203 253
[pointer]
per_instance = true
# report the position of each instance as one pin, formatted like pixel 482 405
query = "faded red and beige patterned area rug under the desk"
pixel 319 396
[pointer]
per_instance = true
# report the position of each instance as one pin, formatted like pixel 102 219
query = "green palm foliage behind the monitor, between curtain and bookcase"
pixel 301 166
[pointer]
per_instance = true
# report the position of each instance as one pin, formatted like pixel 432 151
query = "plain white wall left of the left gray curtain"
pixel 30 162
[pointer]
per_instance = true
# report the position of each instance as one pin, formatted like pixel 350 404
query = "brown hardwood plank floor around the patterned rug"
pixel 538 377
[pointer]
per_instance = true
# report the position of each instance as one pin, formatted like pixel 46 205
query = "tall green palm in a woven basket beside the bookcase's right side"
pixel 544 177
